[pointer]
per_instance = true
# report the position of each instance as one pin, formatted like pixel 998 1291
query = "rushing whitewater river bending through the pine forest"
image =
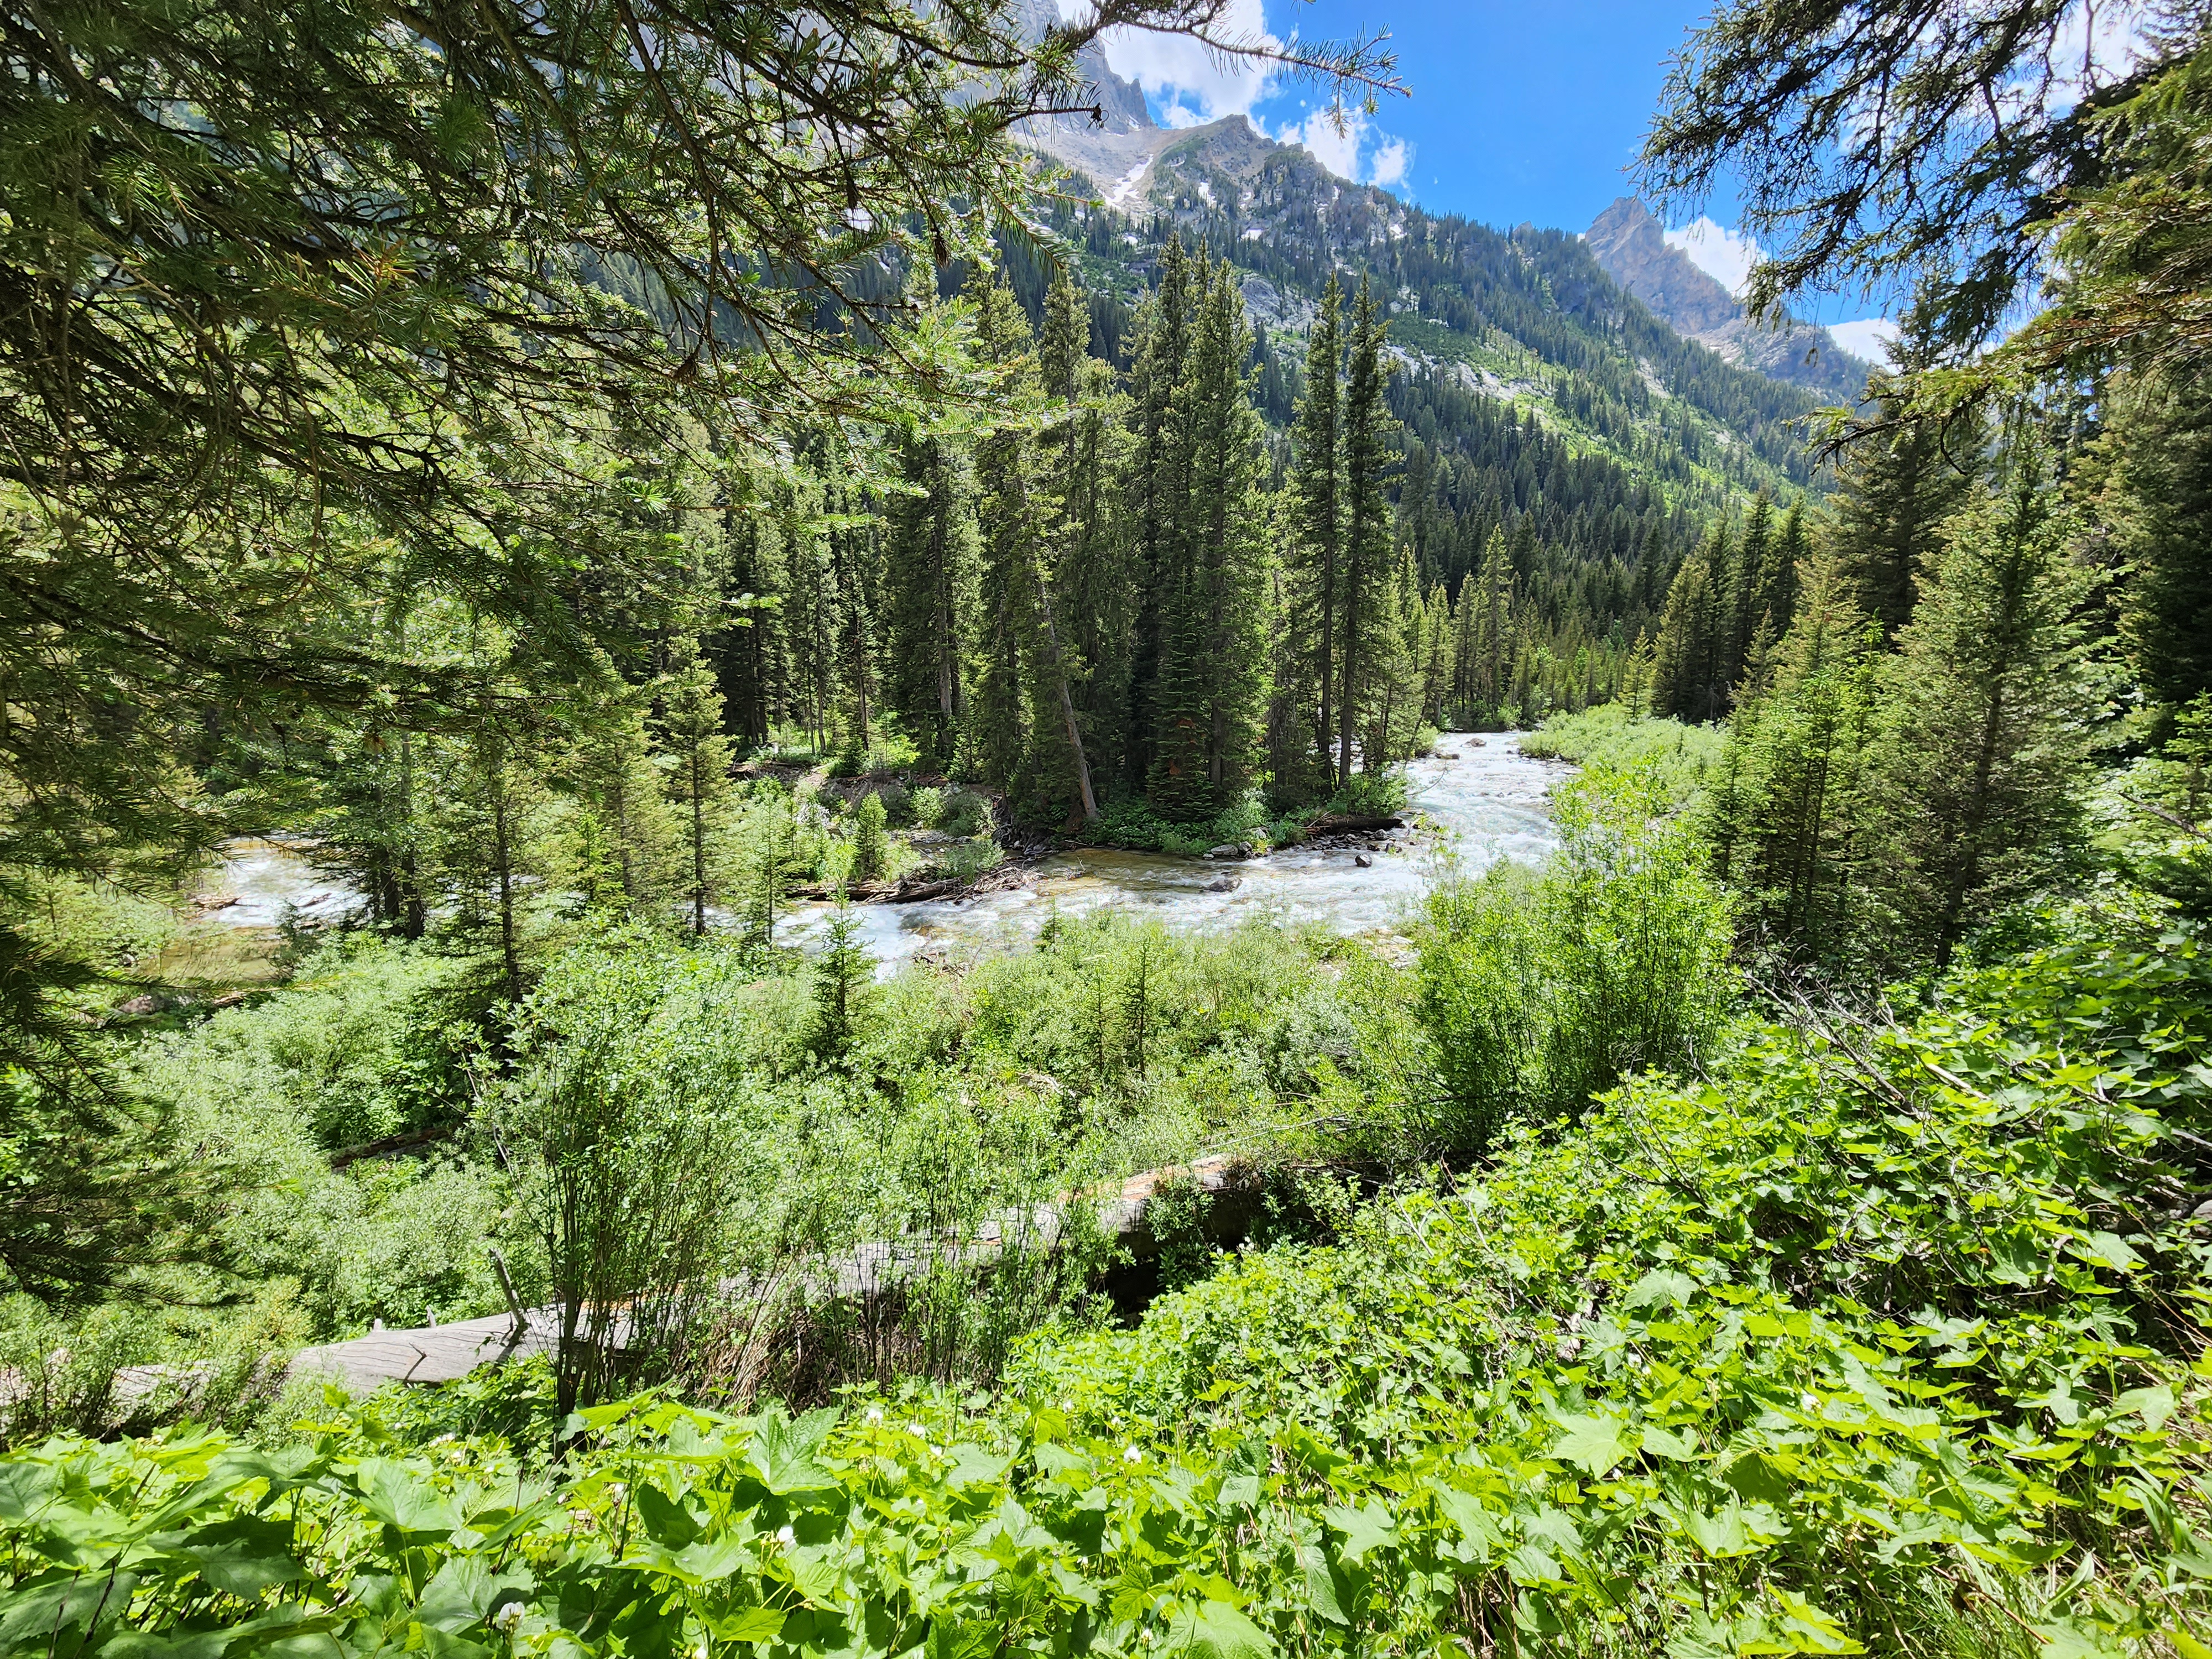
pixel 1481 793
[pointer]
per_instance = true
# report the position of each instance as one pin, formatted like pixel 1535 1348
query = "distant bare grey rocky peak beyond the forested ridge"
pixel 1634 251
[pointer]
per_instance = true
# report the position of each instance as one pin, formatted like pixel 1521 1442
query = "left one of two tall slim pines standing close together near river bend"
pixel 1317 483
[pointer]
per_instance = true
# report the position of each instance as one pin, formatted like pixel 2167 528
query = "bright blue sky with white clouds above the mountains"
pixel 1523 112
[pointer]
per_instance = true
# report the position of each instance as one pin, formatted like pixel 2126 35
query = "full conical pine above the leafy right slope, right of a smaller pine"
pixel 1985 716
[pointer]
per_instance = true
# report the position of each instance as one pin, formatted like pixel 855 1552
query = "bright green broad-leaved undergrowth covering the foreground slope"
pixel 1881 1337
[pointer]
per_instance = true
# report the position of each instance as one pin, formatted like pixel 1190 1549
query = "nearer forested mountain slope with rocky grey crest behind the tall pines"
pixel 1525 324
